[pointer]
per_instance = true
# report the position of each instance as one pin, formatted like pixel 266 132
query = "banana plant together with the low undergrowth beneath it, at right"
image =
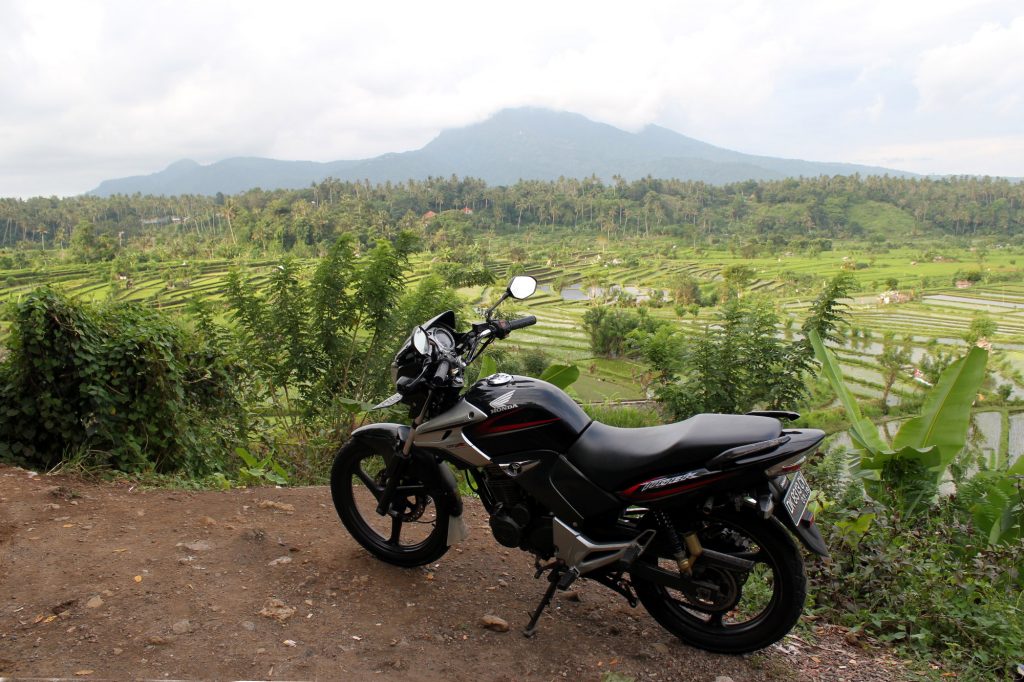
pixel 897 581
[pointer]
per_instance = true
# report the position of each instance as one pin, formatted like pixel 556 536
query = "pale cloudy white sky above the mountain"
pixel 93 91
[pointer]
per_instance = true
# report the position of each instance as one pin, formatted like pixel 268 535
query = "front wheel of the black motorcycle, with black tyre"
pixel 415 533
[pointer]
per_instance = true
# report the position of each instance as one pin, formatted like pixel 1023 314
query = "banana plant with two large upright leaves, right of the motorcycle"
pixel 909 472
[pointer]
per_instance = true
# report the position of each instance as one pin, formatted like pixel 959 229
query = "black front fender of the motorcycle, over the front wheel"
pixel 388 441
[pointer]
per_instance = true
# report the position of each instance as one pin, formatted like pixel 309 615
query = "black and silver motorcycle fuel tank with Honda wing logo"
pixel 524 414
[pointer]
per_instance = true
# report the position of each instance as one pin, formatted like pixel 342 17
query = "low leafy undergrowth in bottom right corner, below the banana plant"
pixel 928 589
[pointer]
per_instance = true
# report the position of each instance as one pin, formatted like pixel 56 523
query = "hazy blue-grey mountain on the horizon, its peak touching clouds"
pixel 514 145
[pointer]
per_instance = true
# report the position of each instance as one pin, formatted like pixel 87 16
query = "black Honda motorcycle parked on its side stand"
pixel 692 520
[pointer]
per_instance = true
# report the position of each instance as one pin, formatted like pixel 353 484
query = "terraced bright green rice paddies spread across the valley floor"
pixel 574 276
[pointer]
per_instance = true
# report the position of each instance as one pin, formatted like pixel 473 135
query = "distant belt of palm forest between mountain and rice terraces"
pixel 767 214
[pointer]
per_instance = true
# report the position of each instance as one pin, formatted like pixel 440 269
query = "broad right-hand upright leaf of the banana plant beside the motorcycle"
pixel 947 413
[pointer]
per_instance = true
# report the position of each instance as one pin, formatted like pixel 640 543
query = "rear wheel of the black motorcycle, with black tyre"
pixel 726 610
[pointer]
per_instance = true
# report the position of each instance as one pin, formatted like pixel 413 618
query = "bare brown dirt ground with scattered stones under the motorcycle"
pixel 106 581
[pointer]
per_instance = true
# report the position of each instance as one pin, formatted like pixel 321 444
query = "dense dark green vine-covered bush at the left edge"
pixel 123 385
